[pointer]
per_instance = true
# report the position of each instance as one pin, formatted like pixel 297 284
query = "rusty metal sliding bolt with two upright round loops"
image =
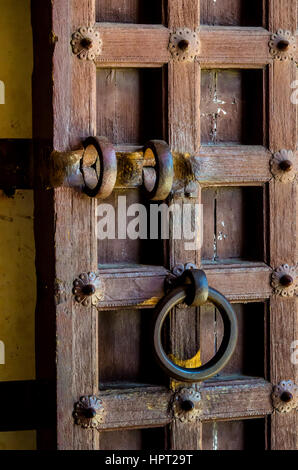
pixel 96 169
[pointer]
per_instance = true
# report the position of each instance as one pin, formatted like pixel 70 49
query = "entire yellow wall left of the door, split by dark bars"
pixel 17 274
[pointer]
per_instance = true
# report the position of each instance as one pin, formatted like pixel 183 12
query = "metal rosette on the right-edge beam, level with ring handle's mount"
pixel 284 280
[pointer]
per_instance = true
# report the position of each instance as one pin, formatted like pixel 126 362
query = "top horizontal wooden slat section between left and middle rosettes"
pixel 133 44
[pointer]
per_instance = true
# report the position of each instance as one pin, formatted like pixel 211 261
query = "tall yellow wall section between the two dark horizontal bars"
pixel 17 286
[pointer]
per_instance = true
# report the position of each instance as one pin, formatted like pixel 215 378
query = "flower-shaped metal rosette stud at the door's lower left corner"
pixel 89 412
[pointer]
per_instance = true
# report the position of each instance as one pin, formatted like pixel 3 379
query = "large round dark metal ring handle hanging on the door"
pixel 223 355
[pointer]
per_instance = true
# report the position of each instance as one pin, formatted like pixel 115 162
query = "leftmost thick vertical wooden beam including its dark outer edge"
pixel 64 113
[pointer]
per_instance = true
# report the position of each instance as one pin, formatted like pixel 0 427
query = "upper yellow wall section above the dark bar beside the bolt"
pixel 16 63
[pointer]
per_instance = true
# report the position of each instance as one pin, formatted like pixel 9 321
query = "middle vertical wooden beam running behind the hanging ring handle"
pixel 184 136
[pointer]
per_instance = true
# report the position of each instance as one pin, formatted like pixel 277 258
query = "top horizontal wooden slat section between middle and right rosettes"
pixel 234 45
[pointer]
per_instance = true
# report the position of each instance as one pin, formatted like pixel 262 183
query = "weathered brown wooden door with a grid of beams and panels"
pixel 226 111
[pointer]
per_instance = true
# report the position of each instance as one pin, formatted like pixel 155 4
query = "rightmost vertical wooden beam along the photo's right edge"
pixel 283 224
